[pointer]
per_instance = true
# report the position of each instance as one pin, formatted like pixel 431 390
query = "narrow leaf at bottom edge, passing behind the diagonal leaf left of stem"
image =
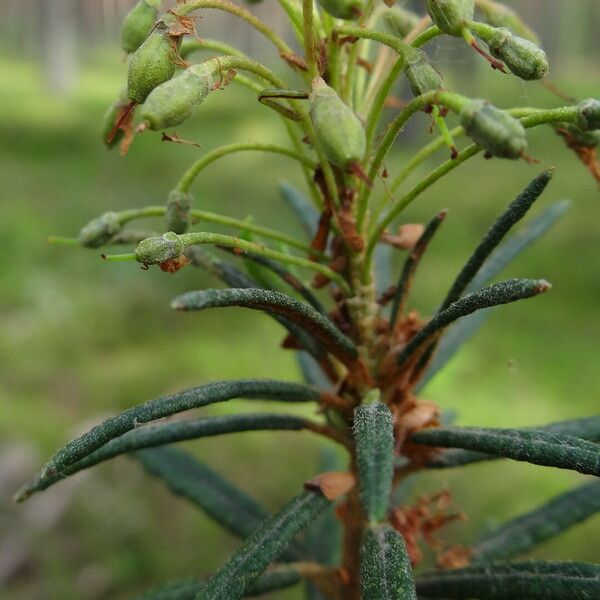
pixel 276 578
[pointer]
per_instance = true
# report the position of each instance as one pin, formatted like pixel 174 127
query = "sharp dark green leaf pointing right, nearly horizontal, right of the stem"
pixel 533 446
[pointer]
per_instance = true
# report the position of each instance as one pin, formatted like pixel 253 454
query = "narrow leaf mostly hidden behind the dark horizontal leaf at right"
pixel 587 428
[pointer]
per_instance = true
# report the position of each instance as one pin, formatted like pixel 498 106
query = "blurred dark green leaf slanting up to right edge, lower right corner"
pixel 523 533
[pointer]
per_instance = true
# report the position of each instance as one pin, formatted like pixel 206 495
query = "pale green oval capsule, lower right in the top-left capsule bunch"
pixel 174 101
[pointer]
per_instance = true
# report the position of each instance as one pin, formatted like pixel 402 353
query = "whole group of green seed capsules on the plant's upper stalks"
pixel 168 91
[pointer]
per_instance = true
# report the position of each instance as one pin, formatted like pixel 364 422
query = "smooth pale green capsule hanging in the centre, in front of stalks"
pixel 338 129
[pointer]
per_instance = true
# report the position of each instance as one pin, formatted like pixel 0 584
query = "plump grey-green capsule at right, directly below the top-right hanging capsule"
pixel 495 130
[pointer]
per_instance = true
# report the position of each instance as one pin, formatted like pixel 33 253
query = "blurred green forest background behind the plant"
pixel 80 339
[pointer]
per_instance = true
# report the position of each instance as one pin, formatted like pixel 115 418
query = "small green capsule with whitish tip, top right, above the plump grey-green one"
pixel 522 57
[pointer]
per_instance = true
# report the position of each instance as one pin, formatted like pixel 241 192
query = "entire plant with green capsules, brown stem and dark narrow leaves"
pixel 340 291
